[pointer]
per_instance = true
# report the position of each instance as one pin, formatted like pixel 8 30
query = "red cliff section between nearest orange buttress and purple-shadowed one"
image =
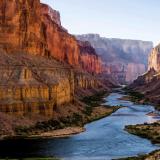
pixel 61 45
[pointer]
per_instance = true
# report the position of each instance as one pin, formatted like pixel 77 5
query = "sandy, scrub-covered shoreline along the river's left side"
pixel 94 110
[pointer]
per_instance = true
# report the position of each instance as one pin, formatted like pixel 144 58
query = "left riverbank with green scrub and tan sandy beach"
pixel 72 123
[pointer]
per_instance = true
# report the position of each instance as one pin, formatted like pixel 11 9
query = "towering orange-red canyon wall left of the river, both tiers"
pixel 42 66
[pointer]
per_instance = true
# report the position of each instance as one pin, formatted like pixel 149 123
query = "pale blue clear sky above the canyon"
pixel 126 19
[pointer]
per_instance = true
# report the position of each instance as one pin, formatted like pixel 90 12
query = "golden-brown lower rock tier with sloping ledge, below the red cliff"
pixel 33 85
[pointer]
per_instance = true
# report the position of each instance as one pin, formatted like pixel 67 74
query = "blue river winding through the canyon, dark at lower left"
pixel 104 139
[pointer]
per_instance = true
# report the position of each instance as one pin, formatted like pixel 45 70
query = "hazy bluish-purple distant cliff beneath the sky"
pixel 124 59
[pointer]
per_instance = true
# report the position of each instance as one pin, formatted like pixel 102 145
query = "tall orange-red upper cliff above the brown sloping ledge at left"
pixel 35 28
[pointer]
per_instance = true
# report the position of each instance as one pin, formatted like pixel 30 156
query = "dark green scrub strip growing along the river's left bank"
pixel 90 112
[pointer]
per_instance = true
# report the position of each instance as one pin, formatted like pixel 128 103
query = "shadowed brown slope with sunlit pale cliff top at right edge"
pixel 149 83
